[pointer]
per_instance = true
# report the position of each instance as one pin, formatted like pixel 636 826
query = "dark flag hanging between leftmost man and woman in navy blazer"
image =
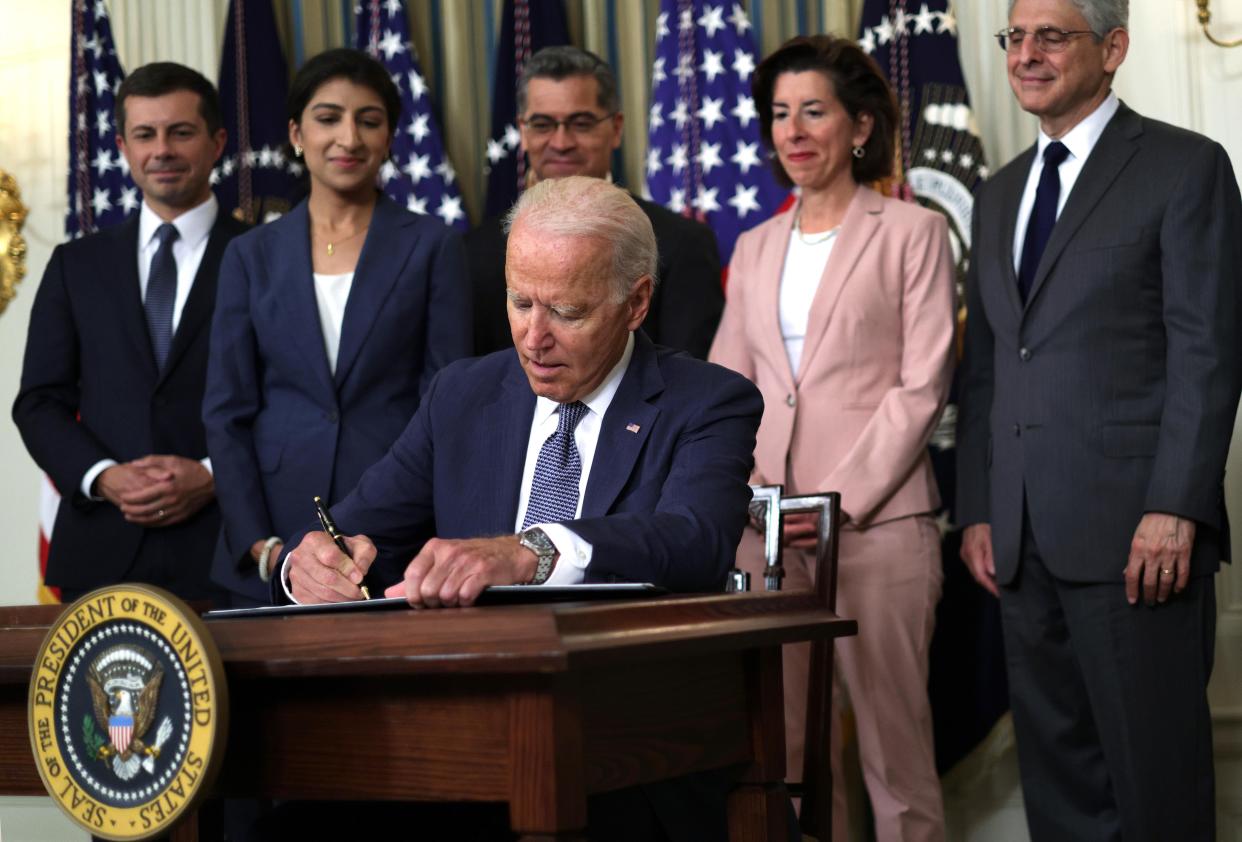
pixel 254 181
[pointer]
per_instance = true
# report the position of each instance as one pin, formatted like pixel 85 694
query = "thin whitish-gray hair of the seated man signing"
pixel 583 207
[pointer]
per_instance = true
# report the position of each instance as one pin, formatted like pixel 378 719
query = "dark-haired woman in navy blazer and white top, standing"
pixel 330 325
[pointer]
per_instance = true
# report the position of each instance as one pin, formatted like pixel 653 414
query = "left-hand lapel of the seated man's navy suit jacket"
pixel 502 430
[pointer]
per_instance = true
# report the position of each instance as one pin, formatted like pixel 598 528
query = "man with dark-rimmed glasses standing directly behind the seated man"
pixel 571 124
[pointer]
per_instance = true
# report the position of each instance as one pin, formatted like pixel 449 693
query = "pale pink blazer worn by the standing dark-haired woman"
pixel 876 362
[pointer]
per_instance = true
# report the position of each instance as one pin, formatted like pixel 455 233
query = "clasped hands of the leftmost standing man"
pixel 157 491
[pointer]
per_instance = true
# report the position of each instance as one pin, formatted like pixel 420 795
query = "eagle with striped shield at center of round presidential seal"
pixel 125 685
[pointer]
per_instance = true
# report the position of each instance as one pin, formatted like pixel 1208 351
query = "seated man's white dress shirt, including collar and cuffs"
pixel 576 553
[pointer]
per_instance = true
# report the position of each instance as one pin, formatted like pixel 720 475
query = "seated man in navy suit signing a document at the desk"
pixel 587 454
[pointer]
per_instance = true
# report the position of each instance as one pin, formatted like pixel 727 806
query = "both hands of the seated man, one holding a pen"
pixel 445 573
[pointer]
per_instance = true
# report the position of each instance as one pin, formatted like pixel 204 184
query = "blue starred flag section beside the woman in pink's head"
pixel 705 157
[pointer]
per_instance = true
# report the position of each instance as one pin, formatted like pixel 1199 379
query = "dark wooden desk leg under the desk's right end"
pixel 759 805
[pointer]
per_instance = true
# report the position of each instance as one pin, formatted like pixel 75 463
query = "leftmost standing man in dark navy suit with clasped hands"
pixel 112 382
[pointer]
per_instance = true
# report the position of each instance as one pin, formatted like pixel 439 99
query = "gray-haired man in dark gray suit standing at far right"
pixel 1100 391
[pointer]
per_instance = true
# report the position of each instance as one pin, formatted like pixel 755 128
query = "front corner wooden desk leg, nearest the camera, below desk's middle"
pixel 547 793
